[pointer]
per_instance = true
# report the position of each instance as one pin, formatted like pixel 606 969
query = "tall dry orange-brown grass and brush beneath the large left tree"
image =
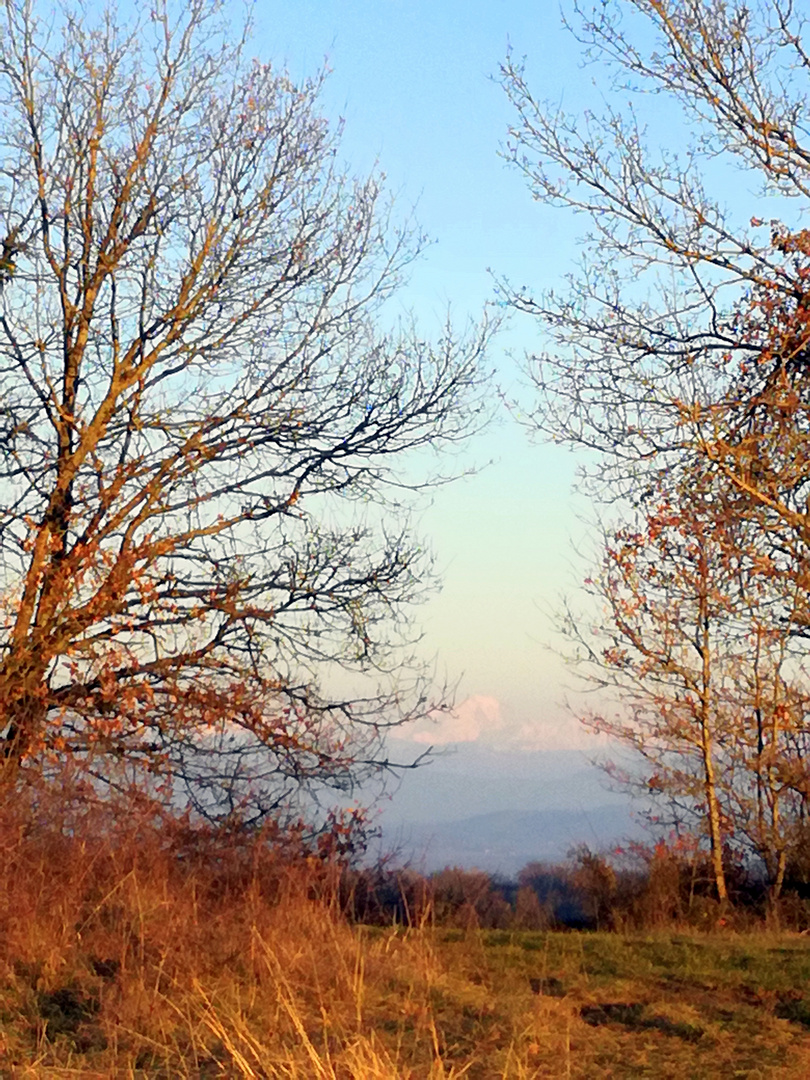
pixel 126 951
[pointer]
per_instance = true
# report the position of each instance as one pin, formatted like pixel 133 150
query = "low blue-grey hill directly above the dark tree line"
pixel 505 841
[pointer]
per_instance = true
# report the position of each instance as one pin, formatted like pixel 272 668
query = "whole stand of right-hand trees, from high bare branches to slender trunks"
pixel 679 352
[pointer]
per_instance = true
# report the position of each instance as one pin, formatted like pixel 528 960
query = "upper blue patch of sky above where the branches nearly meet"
pixel 414 84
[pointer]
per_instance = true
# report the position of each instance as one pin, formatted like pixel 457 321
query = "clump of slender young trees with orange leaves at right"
pixel 694 673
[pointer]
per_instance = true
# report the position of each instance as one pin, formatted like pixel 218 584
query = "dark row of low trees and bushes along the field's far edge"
pixel 664 885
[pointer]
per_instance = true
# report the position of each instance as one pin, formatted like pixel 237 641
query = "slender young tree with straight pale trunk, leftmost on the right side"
pixel 661 650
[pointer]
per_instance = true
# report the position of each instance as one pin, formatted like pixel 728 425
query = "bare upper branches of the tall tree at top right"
pixel 645 337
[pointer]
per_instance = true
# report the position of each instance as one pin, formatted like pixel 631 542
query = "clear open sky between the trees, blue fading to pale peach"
pixel 414 83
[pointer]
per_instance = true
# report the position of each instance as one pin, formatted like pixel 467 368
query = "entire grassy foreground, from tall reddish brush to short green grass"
pixel 126 952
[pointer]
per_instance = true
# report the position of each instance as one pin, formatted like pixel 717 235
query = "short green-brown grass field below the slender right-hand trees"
pixel 665 1006
